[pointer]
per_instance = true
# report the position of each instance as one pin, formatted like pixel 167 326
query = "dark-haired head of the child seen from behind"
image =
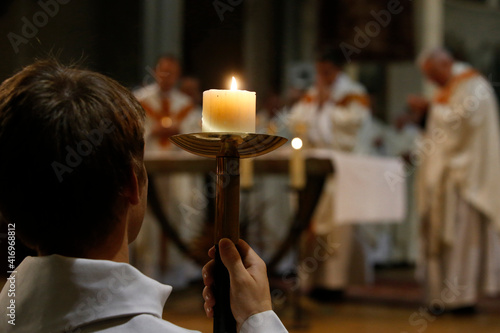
pixel 71 158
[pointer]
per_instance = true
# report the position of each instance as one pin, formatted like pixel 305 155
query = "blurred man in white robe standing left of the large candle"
pixel 168 112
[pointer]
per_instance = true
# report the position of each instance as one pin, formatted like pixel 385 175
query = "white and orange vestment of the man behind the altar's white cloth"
pixel 337 125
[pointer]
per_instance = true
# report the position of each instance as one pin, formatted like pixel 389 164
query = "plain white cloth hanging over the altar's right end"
pixel 367 188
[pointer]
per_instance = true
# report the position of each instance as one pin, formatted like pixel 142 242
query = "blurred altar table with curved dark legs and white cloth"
pixel 378 196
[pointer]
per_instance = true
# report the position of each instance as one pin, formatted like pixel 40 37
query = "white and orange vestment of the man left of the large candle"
pixel 176 192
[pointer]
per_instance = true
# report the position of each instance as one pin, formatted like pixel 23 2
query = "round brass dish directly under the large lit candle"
pixel 210 144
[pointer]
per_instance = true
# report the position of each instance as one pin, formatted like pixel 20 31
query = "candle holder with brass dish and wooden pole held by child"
pixel 227 149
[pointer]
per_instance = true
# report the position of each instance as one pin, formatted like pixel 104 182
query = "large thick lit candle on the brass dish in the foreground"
pixel 229 110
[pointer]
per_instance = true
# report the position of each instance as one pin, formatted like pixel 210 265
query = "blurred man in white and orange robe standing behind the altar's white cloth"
pixel 332 115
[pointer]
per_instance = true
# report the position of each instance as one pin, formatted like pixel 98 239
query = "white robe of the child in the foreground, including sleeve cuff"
pixel 75 295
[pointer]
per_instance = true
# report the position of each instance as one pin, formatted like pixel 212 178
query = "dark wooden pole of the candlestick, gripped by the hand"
pixel 227 225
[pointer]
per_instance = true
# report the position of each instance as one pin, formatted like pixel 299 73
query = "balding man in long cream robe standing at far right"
pixel 458 186
